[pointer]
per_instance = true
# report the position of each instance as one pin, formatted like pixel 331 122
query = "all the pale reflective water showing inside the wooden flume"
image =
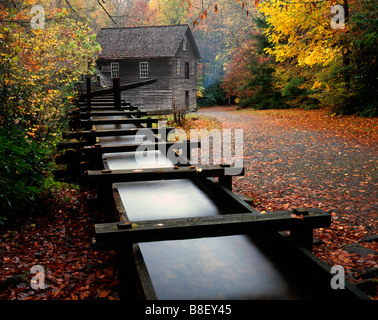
pixel 231 267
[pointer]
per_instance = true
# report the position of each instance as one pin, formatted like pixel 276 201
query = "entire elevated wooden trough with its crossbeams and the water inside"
pixel 173 221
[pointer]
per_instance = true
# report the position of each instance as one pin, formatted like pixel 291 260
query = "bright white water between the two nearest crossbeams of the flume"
pixel 165 199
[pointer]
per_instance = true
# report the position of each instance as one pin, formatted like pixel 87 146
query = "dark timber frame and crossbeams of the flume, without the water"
pixel 85 158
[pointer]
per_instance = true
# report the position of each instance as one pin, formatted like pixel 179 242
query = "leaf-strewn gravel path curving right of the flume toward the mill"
pixel 289 166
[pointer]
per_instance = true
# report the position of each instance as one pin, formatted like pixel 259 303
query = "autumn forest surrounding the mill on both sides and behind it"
pixel 259 54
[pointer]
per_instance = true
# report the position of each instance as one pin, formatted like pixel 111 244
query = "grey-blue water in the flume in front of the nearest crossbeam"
pixel 212 268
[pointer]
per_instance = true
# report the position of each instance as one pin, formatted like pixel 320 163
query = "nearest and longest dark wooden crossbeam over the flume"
pixel 210 226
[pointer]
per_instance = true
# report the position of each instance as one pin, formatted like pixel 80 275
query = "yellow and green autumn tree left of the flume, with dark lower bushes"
pixel 37 70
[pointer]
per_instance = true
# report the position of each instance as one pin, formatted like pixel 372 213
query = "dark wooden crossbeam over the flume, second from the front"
pixel 112 176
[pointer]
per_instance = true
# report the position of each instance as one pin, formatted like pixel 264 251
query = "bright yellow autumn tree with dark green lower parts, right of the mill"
pixel 340 60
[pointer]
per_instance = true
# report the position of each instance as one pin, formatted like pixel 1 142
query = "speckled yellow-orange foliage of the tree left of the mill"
pixel 37 64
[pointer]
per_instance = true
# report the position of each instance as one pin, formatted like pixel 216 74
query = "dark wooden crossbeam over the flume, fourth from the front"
pixel 116 132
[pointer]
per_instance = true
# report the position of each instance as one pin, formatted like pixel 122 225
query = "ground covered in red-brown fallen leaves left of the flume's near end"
pixel 59 241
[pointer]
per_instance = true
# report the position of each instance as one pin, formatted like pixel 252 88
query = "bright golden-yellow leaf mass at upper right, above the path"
pixel 300 30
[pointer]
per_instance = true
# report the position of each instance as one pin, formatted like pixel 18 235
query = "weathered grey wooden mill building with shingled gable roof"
pixel 166 53
